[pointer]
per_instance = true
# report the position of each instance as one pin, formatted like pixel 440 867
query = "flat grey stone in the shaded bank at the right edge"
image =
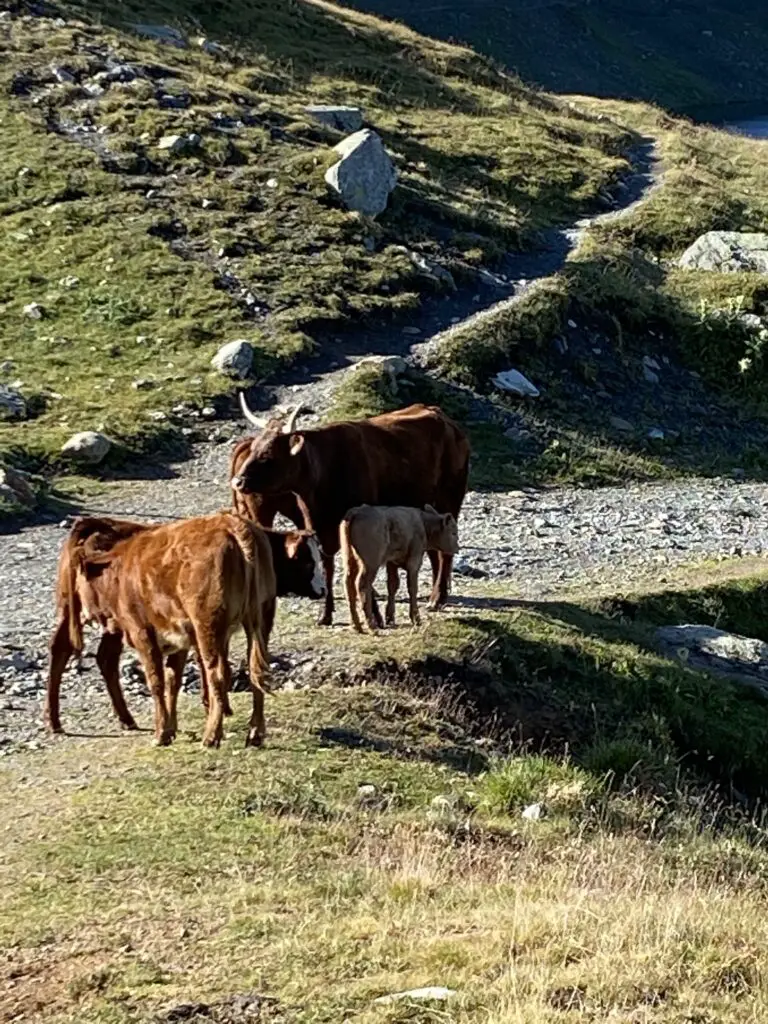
pixel 742 660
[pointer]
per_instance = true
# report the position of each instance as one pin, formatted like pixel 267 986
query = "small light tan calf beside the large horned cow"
pixel 372 536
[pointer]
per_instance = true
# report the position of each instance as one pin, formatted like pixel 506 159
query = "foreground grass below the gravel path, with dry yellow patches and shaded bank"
pixel 139 879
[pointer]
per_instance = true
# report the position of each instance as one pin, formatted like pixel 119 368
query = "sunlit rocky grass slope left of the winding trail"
pixel 175 255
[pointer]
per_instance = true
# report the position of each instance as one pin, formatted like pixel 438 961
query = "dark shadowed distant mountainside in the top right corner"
pixel 684 56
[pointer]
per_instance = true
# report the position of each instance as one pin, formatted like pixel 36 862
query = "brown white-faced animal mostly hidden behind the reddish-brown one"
pixel 297 567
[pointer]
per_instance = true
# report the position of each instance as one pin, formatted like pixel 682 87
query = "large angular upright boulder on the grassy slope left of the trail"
pixel 365 177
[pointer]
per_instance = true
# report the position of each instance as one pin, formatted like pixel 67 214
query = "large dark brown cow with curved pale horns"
pixel 416 456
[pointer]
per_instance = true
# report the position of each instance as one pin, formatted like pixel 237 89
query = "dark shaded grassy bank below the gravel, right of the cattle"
pixel 569 681
